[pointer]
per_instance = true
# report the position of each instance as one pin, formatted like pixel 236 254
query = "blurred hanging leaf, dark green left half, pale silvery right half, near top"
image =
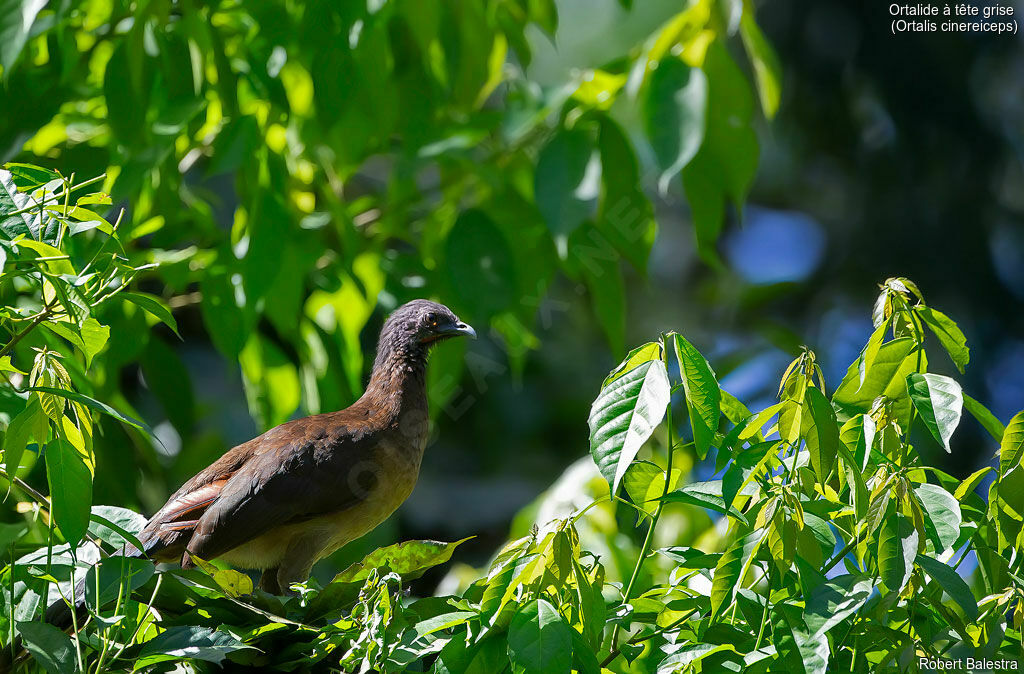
pixel 674 116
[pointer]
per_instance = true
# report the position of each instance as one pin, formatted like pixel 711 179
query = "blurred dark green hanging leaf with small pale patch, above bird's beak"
pixel 567 183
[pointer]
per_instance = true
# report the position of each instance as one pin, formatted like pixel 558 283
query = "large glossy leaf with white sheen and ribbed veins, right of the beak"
pixel 625 415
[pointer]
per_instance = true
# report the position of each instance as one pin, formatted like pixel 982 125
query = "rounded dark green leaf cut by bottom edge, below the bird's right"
pixel 540 641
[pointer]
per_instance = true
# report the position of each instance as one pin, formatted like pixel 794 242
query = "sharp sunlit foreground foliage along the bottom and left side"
pixel 821 545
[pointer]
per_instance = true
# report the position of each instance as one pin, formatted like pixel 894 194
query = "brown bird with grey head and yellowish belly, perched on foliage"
pixel 301 491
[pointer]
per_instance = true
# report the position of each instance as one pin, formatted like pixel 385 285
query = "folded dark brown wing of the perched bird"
pixel 304 471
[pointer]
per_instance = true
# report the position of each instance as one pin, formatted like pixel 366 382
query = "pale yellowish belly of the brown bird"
pixel 333 531
